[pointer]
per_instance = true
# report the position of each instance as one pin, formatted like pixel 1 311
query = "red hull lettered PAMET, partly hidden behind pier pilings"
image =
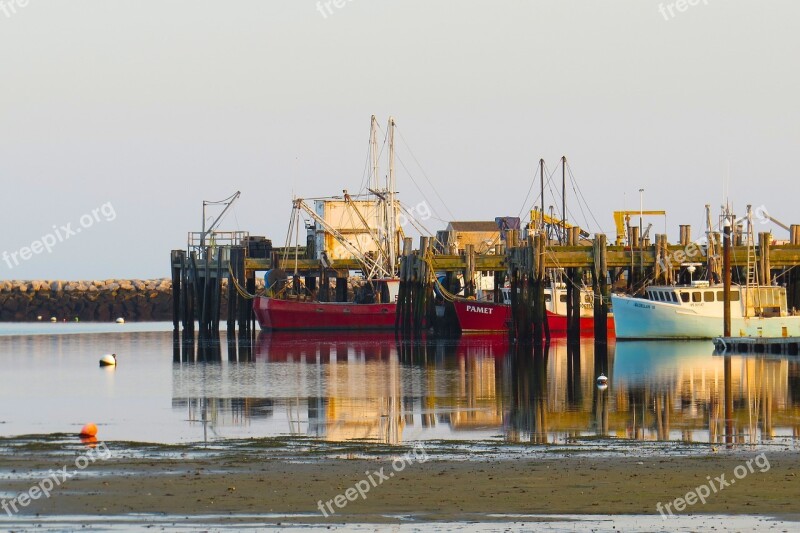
pixel 483 317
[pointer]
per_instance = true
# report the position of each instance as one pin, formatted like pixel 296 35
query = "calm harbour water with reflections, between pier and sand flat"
pixel 341 387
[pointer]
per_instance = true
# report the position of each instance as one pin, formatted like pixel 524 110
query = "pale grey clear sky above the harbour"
pixel 118 118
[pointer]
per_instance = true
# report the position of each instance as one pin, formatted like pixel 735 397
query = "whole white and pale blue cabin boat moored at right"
pixel 696 312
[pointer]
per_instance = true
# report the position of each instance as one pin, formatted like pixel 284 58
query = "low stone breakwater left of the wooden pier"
pixel 25 301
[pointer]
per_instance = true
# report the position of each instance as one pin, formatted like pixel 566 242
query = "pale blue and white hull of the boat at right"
pixel 638 318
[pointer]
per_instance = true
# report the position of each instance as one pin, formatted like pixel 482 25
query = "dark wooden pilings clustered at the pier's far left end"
pixel 197 297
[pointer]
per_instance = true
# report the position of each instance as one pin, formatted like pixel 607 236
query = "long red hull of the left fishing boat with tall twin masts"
pixel 292 315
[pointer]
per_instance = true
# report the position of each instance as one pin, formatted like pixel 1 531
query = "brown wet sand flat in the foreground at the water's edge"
pixel 187 481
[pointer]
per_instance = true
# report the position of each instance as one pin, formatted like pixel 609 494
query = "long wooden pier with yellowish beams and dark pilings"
pixel 197 275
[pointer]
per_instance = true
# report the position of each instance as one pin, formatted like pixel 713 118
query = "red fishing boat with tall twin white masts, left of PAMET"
pixel 349 227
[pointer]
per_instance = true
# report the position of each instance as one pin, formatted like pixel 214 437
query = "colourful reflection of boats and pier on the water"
pixel 345 386
